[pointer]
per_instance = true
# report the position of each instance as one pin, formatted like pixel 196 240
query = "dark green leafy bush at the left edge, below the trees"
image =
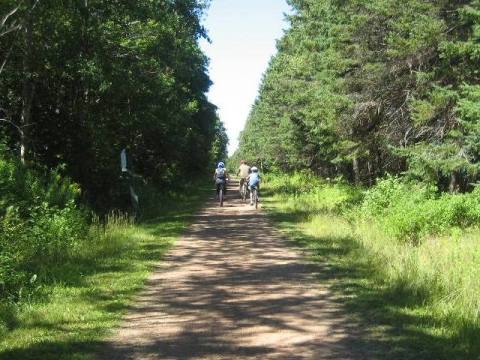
pixel 40 225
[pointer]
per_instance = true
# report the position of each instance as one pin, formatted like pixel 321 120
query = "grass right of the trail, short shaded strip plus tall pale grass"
pixel 398 305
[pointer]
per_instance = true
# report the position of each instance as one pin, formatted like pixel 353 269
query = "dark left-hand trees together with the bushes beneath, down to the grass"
pixel 79 82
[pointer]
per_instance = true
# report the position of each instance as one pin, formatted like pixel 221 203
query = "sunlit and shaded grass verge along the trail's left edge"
pixel 89 294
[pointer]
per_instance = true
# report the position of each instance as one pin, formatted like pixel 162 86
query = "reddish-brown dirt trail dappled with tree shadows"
pixel 232 288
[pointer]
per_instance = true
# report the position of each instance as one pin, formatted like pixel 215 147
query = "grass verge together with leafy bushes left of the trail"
pixel 66 277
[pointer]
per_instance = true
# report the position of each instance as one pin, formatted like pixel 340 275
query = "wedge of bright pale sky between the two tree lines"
pixel 243 36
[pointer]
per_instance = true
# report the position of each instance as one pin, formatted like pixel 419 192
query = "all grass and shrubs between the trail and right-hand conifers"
pixel 417 249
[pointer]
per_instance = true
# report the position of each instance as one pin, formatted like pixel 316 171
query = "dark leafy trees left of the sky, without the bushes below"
pixel 82 79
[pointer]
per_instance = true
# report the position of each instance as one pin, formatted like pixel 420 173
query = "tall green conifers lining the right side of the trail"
pixel 359 89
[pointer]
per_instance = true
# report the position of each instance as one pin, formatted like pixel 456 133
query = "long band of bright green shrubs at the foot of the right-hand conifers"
pixel 405 211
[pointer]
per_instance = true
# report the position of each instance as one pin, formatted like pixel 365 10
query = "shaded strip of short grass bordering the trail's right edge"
pixel 393 328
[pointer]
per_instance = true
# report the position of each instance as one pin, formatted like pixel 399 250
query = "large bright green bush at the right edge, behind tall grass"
pixel 409 211
